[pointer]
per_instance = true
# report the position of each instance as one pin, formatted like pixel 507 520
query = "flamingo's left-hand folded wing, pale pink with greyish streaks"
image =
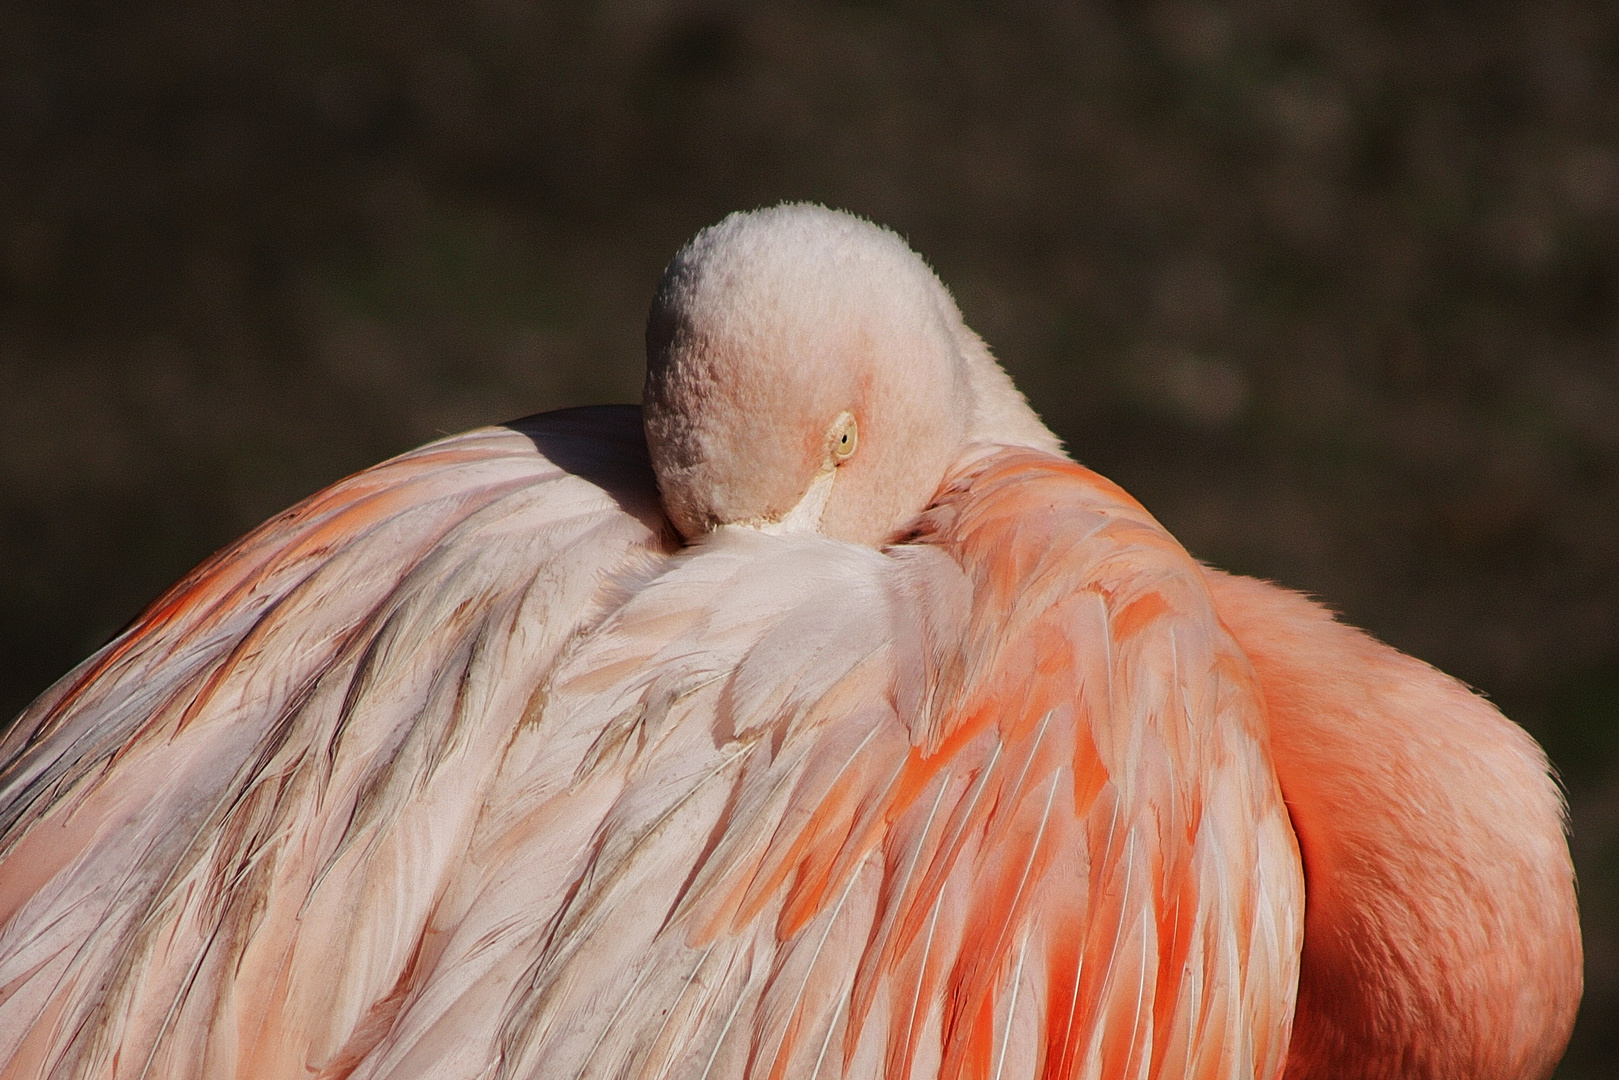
pixel 226 831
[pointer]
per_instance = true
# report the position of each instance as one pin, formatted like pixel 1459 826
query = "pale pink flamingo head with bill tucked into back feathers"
pixel 807 372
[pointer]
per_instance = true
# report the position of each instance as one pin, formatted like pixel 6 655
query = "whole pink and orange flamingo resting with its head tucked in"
pixel 818 720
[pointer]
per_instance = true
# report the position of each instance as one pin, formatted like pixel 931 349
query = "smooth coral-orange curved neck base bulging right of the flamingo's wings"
pixel 1442 929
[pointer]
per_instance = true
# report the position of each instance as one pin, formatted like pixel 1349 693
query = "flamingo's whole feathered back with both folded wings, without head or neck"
pixel 459 772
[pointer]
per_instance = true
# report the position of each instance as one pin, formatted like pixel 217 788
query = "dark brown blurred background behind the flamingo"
pixel 1332 287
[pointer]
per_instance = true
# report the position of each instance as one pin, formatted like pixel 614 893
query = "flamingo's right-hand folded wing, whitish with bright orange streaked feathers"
pixel 990 804
